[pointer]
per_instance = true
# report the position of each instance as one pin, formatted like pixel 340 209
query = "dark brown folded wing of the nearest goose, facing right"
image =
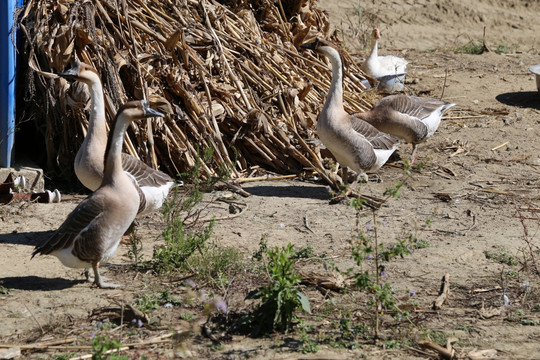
pixel 77 224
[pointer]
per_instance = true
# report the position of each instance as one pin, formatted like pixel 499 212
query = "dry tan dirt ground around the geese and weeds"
pixel 479 189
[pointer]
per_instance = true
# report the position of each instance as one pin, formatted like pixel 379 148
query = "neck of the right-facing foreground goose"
pixel 113 158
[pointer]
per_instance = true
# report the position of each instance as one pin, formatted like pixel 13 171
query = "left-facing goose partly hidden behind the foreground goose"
pixel 154 184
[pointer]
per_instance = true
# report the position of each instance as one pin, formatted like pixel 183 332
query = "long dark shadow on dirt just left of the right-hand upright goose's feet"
pixel 294 191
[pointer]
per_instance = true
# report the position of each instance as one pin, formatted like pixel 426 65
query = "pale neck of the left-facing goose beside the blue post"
pixel 96 124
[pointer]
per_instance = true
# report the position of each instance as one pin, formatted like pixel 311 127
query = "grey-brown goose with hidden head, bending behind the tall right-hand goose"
pixel 410 118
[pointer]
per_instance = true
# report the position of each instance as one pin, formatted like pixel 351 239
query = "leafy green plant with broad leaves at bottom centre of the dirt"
pixel 281 297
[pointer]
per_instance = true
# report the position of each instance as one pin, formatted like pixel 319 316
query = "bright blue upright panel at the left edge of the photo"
pixel 8 64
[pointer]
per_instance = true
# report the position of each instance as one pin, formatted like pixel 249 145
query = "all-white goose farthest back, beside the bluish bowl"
pixel 377 66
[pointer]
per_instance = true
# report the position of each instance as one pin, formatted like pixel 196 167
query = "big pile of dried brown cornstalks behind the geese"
pixel 231 76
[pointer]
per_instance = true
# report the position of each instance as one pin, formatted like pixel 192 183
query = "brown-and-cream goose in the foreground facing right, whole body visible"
pixel 91 233
